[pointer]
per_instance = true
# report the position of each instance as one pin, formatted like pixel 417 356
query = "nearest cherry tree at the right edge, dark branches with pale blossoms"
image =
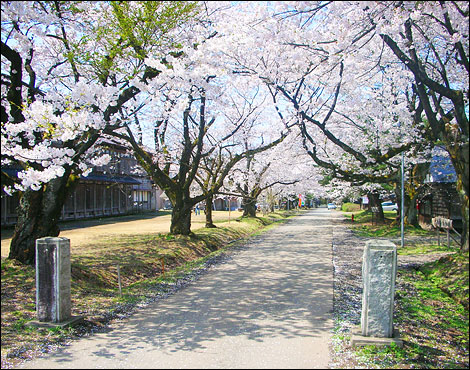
pixel 429 42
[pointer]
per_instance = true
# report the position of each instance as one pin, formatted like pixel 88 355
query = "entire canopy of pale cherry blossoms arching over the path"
pixel 356 83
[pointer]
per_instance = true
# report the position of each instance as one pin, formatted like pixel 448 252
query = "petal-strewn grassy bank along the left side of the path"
pixel 150 265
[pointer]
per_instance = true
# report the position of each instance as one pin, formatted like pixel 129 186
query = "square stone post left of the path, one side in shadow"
pixel 53 272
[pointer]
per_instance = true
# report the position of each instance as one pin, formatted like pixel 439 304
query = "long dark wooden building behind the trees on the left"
pixel 117 188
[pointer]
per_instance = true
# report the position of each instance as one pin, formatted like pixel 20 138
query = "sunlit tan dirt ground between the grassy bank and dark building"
pixel 87 231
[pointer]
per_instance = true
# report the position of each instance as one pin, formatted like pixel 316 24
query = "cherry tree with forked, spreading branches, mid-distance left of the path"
pixel 199 129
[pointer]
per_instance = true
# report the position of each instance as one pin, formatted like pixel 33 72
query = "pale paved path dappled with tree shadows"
pixel 267 306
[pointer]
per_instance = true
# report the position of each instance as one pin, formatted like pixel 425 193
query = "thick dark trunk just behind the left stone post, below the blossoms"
pixel 38 217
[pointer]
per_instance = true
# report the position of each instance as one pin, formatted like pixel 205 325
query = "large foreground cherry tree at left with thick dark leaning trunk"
pixel 67 69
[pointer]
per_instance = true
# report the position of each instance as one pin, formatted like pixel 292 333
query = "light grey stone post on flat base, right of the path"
pixel 379 268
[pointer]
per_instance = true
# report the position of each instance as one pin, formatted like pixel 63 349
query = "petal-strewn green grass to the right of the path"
pixel 431 303
